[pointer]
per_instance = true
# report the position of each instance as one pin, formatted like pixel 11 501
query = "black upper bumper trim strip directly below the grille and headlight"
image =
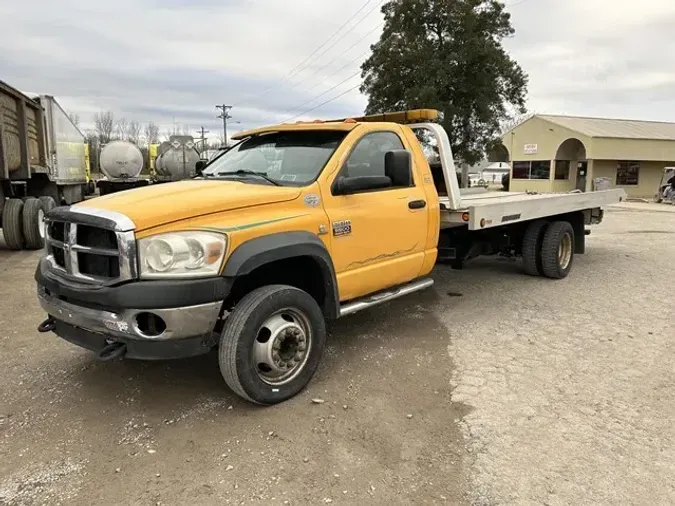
pixel 158 294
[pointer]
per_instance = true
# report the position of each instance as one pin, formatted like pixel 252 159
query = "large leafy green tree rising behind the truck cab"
pixel 448 55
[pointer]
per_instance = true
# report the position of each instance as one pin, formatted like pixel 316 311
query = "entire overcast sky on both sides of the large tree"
pixel 172 61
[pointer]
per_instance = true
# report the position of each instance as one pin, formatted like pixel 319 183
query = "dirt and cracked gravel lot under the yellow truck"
pixel 491 388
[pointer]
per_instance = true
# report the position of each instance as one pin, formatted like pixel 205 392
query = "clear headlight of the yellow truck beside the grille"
pixel 181 255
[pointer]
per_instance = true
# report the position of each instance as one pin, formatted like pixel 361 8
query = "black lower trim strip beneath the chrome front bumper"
pixel 136 349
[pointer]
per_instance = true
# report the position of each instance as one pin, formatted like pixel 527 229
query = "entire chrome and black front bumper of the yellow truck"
pixel 183 315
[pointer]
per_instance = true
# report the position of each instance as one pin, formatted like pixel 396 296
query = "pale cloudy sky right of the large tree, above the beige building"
pixel 597 58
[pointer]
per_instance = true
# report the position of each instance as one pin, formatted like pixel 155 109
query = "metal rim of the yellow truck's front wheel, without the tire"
pixel 282 346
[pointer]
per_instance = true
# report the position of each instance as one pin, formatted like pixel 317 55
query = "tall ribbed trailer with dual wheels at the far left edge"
pixel 42 164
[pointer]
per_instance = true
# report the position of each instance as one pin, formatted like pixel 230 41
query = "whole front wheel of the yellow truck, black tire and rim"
pixel 242 343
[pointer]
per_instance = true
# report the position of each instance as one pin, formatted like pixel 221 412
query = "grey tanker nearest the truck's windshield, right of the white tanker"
pixel 176 159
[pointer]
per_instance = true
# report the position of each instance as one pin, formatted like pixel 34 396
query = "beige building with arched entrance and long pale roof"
pixel 563 153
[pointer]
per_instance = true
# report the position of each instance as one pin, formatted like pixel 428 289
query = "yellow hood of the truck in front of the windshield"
pixel 159 204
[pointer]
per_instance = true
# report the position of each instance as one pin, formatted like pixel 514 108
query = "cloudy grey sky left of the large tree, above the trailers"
pixel 177 59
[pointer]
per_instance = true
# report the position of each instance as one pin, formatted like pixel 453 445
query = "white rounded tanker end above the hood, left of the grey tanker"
pixel 121 162
